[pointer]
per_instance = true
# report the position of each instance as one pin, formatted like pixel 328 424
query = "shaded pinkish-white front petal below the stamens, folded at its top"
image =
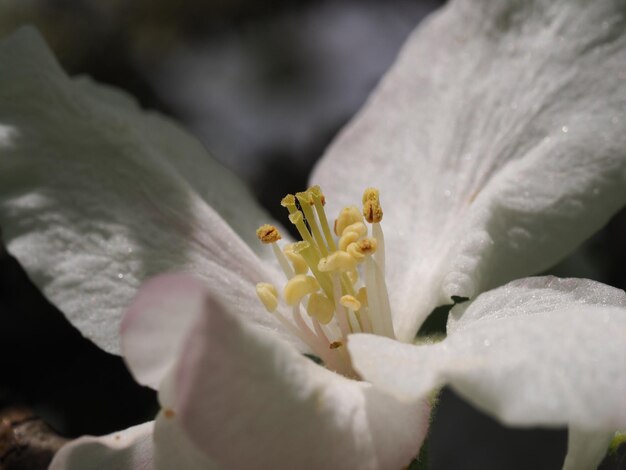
pixel 249 401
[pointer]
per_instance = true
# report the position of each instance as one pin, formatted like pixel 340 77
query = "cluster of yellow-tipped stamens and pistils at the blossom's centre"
pixel 339 283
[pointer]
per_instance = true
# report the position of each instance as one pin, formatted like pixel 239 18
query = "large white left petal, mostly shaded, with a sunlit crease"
pixel 97 195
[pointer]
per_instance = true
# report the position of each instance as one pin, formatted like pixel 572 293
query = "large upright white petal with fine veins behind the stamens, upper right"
pixel 497 141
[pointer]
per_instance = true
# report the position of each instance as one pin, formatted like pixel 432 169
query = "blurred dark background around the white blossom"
pixel 265 86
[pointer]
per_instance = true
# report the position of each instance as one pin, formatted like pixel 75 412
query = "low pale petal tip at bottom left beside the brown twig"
pixel 130 449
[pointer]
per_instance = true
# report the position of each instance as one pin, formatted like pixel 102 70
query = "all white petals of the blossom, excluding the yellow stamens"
pixel 497 143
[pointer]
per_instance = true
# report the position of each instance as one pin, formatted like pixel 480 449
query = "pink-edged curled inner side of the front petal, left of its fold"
pixel 157 323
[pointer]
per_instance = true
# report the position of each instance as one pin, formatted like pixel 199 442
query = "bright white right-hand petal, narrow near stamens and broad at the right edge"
pixel 535 352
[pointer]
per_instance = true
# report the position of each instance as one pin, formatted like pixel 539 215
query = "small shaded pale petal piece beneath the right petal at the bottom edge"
pixel 585 450
